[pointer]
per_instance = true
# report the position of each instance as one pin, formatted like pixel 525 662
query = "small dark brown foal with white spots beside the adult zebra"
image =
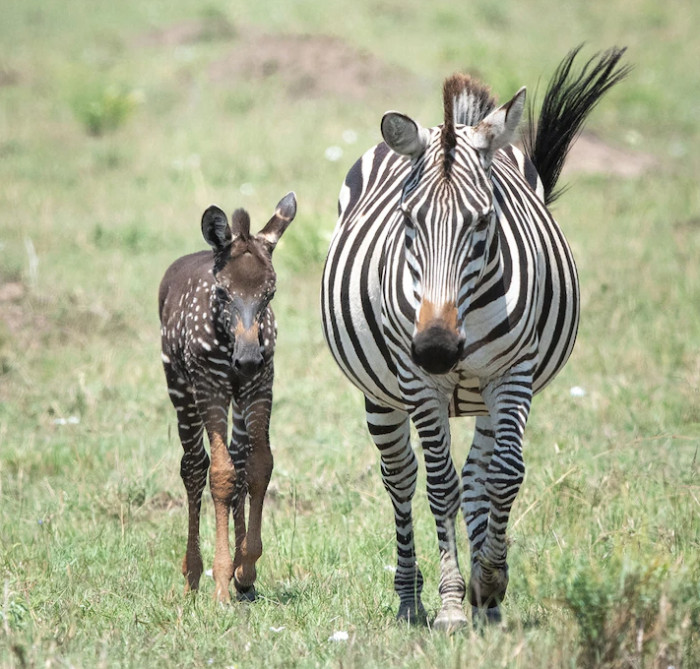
pixel 218 339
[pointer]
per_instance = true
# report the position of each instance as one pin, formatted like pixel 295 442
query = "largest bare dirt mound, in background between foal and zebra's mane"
pixel 309 66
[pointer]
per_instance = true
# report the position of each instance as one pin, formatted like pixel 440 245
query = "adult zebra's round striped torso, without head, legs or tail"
pixel 368 301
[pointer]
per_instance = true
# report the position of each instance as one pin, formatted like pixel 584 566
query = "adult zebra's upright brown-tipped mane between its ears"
pixel 466 101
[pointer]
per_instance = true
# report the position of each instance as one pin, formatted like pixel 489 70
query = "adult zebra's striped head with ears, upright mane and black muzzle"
pixel 447 205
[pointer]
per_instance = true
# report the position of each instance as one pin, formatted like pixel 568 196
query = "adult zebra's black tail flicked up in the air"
pixel 569 99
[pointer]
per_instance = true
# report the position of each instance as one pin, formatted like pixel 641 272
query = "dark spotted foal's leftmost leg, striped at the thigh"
pixel 194 466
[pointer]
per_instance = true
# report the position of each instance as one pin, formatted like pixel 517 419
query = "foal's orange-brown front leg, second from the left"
pixel 222 481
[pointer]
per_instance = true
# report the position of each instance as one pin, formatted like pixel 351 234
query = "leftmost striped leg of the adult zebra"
pixel 391 433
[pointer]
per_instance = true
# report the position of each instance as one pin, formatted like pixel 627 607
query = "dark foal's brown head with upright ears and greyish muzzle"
pixel 245 278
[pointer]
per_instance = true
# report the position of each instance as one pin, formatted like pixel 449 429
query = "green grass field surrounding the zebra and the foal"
pixel 119 123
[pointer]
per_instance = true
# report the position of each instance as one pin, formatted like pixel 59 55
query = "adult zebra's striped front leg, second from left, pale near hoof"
pixel 432 423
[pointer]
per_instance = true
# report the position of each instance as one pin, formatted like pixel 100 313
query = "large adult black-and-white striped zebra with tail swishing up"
pixel 449 290
